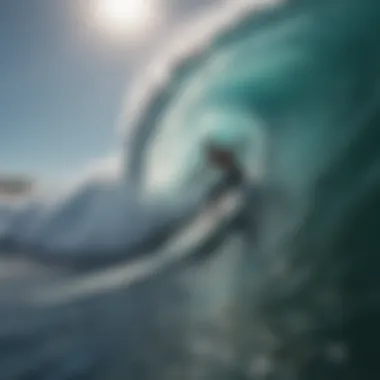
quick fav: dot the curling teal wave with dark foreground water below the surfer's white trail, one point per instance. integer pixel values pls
(290, 292)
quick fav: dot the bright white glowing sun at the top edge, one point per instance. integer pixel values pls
(126, 17)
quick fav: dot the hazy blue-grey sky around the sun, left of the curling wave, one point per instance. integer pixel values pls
(63, 82)
